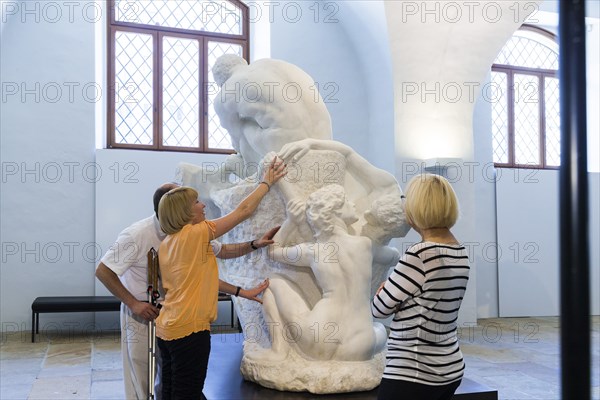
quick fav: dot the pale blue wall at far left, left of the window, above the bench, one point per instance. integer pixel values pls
(48, 169)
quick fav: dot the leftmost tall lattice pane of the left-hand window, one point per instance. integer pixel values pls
(133, 88)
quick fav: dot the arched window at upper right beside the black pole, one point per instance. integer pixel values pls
(525, 107)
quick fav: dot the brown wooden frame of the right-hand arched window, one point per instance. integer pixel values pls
(542, 75)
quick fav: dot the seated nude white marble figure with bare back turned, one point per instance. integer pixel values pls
(339, 326)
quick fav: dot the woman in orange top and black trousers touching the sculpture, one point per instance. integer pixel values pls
(191, 281)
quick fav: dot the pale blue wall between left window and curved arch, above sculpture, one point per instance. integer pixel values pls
(310, 35)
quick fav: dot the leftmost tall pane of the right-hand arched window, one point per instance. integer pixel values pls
(499, 99)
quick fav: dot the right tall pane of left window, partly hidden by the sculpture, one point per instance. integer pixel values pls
(218, 138)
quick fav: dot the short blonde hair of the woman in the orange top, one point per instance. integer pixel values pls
(175, 209)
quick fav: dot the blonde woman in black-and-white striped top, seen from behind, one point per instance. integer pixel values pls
(424, 293)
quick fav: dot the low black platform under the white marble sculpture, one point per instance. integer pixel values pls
(225, 382)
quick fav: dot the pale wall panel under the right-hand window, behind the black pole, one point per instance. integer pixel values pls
(529, 242)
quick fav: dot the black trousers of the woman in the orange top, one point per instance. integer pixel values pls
(184, 366)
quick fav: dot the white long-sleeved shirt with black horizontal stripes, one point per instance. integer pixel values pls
(424, 292)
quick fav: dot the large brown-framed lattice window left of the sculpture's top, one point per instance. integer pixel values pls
(160, 56)
